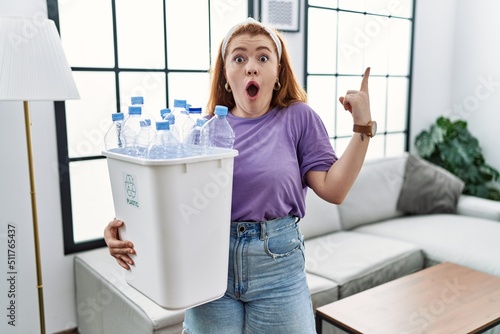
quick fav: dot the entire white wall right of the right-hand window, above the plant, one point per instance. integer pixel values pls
(456, 70)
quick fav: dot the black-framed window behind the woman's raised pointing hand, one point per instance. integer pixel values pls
(343, 38)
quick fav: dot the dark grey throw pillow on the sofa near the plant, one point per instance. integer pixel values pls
(428, 188)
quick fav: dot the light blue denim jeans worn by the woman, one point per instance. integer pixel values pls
(266, 288)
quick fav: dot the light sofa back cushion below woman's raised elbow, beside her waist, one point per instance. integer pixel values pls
(321, 217)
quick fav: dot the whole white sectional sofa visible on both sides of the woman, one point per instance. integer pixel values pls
(364, 242)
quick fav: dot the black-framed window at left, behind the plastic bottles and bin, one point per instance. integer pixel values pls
(119, 49)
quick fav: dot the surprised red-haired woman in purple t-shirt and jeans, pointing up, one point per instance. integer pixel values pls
(283, 149)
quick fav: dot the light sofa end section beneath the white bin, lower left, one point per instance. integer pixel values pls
(107, 304)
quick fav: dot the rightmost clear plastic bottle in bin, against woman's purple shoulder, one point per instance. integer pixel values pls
(217, 132)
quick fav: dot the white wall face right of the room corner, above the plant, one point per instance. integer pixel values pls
(476, 72)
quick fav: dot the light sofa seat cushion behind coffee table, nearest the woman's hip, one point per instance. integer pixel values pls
(358, 261)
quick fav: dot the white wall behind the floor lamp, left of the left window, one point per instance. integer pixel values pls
(15, 208)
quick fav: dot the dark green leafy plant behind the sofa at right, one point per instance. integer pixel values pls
(450, 145)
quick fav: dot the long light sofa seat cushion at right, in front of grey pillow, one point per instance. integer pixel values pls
(447, 237)
